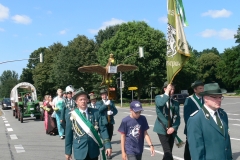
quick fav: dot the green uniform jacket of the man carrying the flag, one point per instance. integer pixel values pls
(162, 114)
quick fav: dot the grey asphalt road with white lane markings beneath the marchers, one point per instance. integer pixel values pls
(28, 141)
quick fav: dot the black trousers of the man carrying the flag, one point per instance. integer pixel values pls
(167, 142)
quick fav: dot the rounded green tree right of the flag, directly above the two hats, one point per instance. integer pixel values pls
(207, 65)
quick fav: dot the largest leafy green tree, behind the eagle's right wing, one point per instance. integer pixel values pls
(151, 69)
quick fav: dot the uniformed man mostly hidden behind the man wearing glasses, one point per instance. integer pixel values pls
(192, 103)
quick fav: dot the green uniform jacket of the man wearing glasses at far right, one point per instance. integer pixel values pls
(206, 142)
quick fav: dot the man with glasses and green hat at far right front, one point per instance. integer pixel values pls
(207, 128)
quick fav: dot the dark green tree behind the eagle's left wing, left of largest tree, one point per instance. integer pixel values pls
(79, 52)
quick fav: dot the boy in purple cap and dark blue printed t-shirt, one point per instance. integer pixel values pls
(133, 130)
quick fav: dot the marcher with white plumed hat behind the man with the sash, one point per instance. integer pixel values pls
(69, 105)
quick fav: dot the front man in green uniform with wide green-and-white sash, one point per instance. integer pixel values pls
(82, 133)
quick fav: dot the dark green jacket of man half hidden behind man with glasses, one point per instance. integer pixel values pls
(189, 107)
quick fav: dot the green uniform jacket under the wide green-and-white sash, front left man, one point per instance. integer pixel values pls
(82, 145)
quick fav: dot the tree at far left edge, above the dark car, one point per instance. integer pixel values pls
(8, 80)
